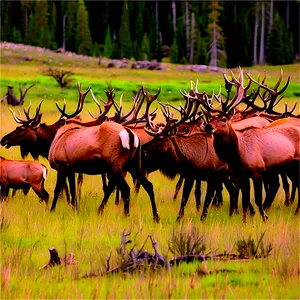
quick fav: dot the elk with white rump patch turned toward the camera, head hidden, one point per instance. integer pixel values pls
(107, 148)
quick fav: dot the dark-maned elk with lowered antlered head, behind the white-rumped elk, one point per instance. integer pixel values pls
(191, 155)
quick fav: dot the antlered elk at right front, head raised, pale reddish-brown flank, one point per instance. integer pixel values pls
(253, 153)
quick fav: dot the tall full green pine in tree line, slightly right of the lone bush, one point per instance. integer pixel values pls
(83, 34)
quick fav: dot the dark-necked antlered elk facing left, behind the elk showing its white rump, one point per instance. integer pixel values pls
(35, 137)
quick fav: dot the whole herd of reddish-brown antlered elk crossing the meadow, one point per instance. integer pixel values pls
(226, 139)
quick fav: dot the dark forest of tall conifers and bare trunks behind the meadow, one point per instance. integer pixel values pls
(216, 33)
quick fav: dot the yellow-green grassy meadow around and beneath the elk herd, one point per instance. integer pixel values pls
(28, 229)
